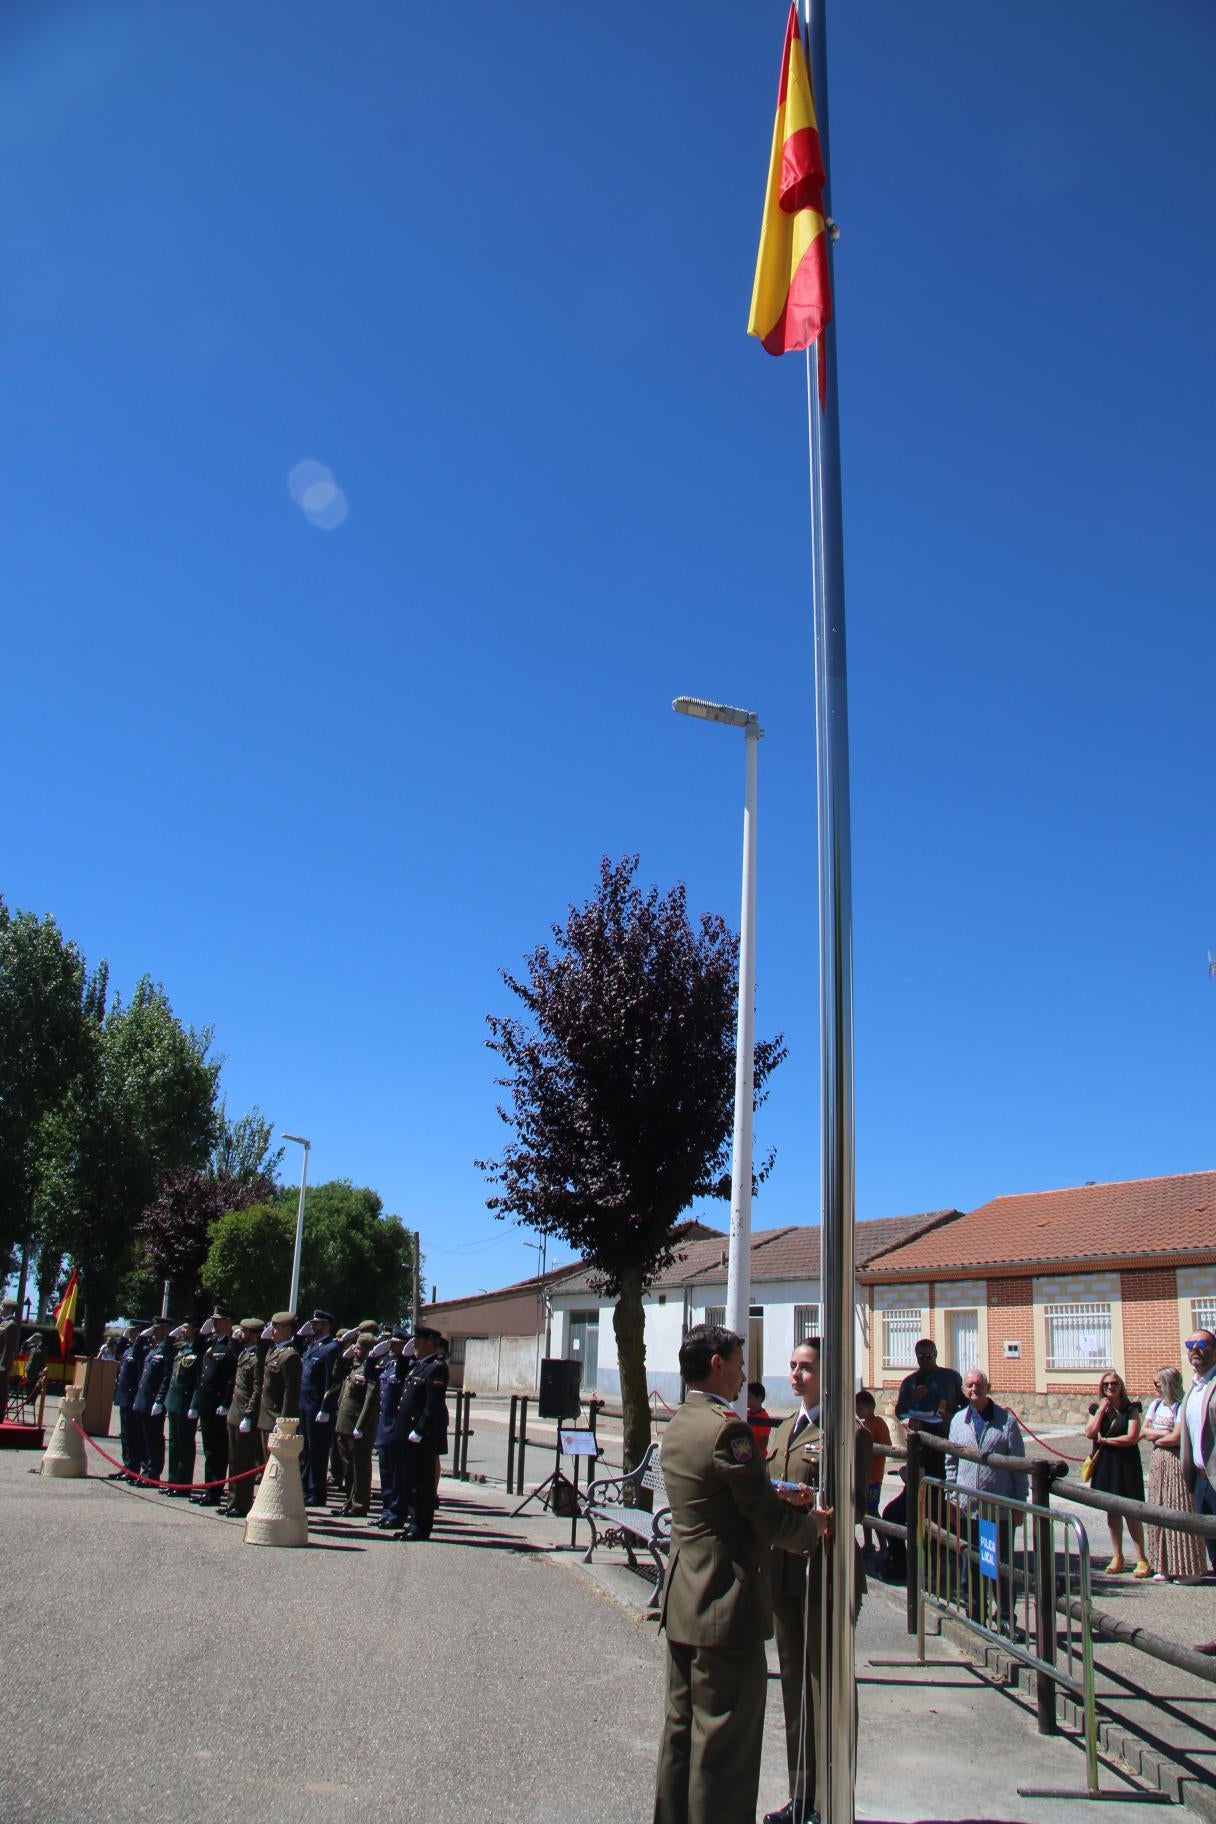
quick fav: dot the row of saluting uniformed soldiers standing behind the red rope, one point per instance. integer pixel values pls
(227, 1384)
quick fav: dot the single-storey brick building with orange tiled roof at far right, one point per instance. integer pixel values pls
(1046, 1290)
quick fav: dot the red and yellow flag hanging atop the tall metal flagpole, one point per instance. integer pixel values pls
(792, 295)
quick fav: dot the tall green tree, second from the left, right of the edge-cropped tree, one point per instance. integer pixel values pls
(141, 1108)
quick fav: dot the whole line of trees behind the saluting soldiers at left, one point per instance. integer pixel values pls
(118, 1156)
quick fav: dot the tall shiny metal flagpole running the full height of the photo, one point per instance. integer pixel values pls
(836, 1725)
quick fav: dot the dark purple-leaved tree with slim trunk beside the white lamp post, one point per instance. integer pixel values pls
(621, 1093)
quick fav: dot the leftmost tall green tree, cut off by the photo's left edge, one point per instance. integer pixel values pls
(48, 1006)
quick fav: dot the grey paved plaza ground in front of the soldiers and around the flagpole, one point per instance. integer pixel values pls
(172, 1674)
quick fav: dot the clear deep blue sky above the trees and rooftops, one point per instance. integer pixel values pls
(493, 273)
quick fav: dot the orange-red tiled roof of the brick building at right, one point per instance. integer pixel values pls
(1131, 1221)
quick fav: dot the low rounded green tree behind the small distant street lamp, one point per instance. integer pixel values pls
(356, 1261)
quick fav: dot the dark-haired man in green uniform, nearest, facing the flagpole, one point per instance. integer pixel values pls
(717, 1606)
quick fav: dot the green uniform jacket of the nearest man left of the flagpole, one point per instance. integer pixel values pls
(725, 1515)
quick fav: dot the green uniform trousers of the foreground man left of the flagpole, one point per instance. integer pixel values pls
(714, 1734)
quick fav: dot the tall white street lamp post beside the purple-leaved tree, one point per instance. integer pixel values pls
(739, 1259)
